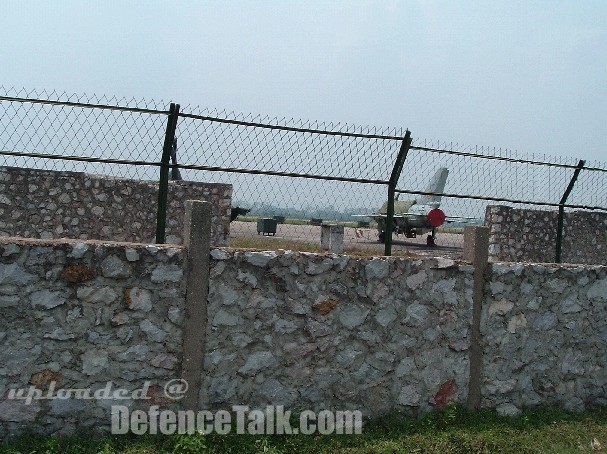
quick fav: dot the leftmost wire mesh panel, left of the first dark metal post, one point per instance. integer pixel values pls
(98, 137)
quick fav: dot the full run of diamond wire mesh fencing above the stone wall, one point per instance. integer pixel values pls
(291, 176)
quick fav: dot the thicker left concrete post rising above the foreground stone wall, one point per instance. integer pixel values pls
(197, 240)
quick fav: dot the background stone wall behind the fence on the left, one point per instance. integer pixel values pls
(48, 204)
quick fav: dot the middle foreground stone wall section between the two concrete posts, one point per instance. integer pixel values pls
(317, 331)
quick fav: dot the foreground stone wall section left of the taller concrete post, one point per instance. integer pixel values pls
(81, 314)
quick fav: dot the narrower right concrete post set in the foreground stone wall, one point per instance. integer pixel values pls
(476, 250)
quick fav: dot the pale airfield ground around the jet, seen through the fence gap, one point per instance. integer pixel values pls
(448, 245)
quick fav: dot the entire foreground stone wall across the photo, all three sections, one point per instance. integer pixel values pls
(308, 331)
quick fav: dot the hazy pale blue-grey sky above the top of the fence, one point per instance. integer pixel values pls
(526, 75)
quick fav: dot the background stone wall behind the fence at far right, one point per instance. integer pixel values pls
(521, 235)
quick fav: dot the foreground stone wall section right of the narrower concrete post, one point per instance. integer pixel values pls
(544, 337)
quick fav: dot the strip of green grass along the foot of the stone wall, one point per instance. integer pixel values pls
(453, 430)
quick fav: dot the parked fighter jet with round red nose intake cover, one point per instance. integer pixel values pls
(420, 215)
